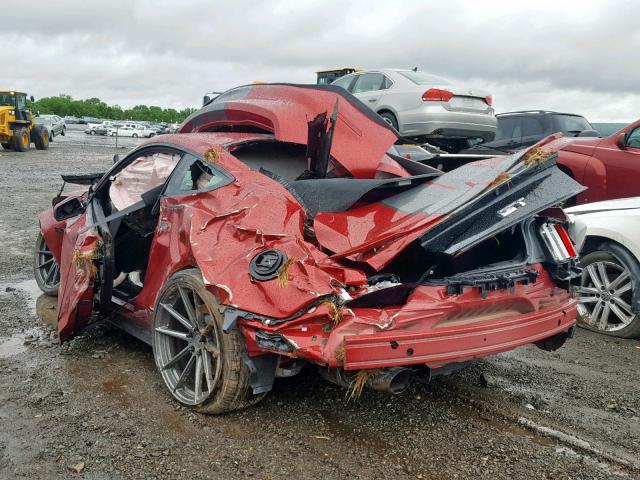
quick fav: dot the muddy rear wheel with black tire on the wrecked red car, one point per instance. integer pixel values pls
(231, 388)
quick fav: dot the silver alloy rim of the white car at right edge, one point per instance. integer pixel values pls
(604, 296)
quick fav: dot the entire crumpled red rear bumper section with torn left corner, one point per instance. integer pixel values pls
(433, 327)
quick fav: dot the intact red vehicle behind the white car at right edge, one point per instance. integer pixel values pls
(608, 166)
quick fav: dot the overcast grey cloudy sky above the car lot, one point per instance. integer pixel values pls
(577, 56)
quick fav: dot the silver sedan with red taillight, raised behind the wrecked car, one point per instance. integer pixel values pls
(425, 107)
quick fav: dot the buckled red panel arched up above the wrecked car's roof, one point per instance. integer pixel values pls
(285, 110)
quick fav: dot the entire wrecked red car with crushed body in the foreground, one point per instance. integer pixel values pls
(274, 230)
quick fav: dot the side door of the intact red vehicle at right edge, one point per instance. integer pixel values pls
(621, 160)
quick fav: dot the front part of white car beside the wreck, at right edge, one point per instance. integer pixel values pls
(606, 233)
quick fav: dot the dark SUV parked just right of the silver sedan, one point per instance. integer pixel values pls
(517, 130)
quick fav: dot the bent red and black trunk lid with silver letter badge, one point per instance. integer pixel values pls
(450, 214)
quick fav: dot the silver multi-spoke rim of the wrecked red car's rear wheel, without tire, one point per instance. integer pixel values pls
(187, 344)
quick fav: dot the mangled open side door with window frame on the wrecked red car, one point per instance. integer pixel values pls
(90, 245)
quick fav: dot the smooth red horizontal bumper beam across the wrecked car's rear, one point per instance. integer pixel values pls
(437, 348)
